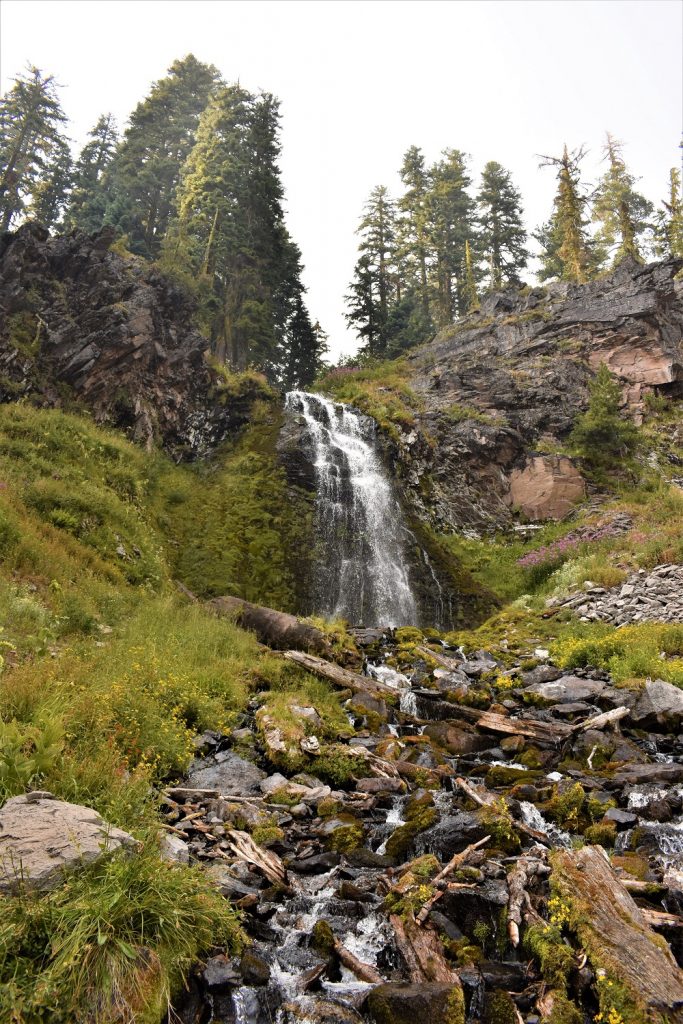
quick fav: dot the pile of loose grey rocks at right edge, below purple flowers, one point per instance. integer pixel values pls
(646, 598)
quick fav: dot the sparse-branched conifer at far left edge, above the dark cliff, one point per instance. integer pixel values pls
(32, 147)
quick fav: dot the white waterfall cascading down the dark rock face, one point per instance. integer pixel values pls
(361, 574)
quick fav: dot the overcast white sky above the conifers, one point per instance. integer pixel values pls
(362, 81)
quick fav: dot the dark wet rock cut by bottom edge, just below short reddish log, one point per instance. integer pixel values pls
(398, 1004)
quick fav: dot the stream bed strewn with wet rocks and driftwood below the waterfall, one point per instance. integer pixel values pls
(476, 851)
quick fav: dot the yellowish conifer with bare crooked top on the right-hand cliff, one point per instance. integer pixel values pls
(570, 248)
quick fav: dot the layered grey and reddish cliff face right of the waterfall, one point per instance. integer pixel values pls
(499, 392)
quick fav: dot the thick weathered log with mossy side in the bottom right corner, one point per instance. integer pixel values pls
(616, 933)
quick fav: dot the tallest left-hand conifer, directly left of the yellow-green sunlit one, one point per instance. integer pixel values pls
(143, 179)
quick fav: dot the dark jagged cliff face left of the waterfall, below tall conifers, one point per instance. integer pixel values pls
(81, 324)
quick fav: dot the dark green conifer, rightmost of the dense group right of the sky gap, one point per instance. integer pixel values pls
(502, 239)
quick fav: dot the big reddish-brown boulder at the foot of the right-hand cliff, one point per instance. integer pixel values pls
(546, 488)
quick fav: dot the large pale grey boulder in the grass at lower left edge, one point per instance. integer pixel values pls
(41, 837)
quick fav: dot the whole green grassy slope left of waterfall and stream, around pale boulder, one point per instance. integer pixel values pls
(108, 673)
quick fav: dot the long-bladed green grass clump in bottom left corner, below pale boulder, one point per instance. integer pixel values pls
(111, 944)
